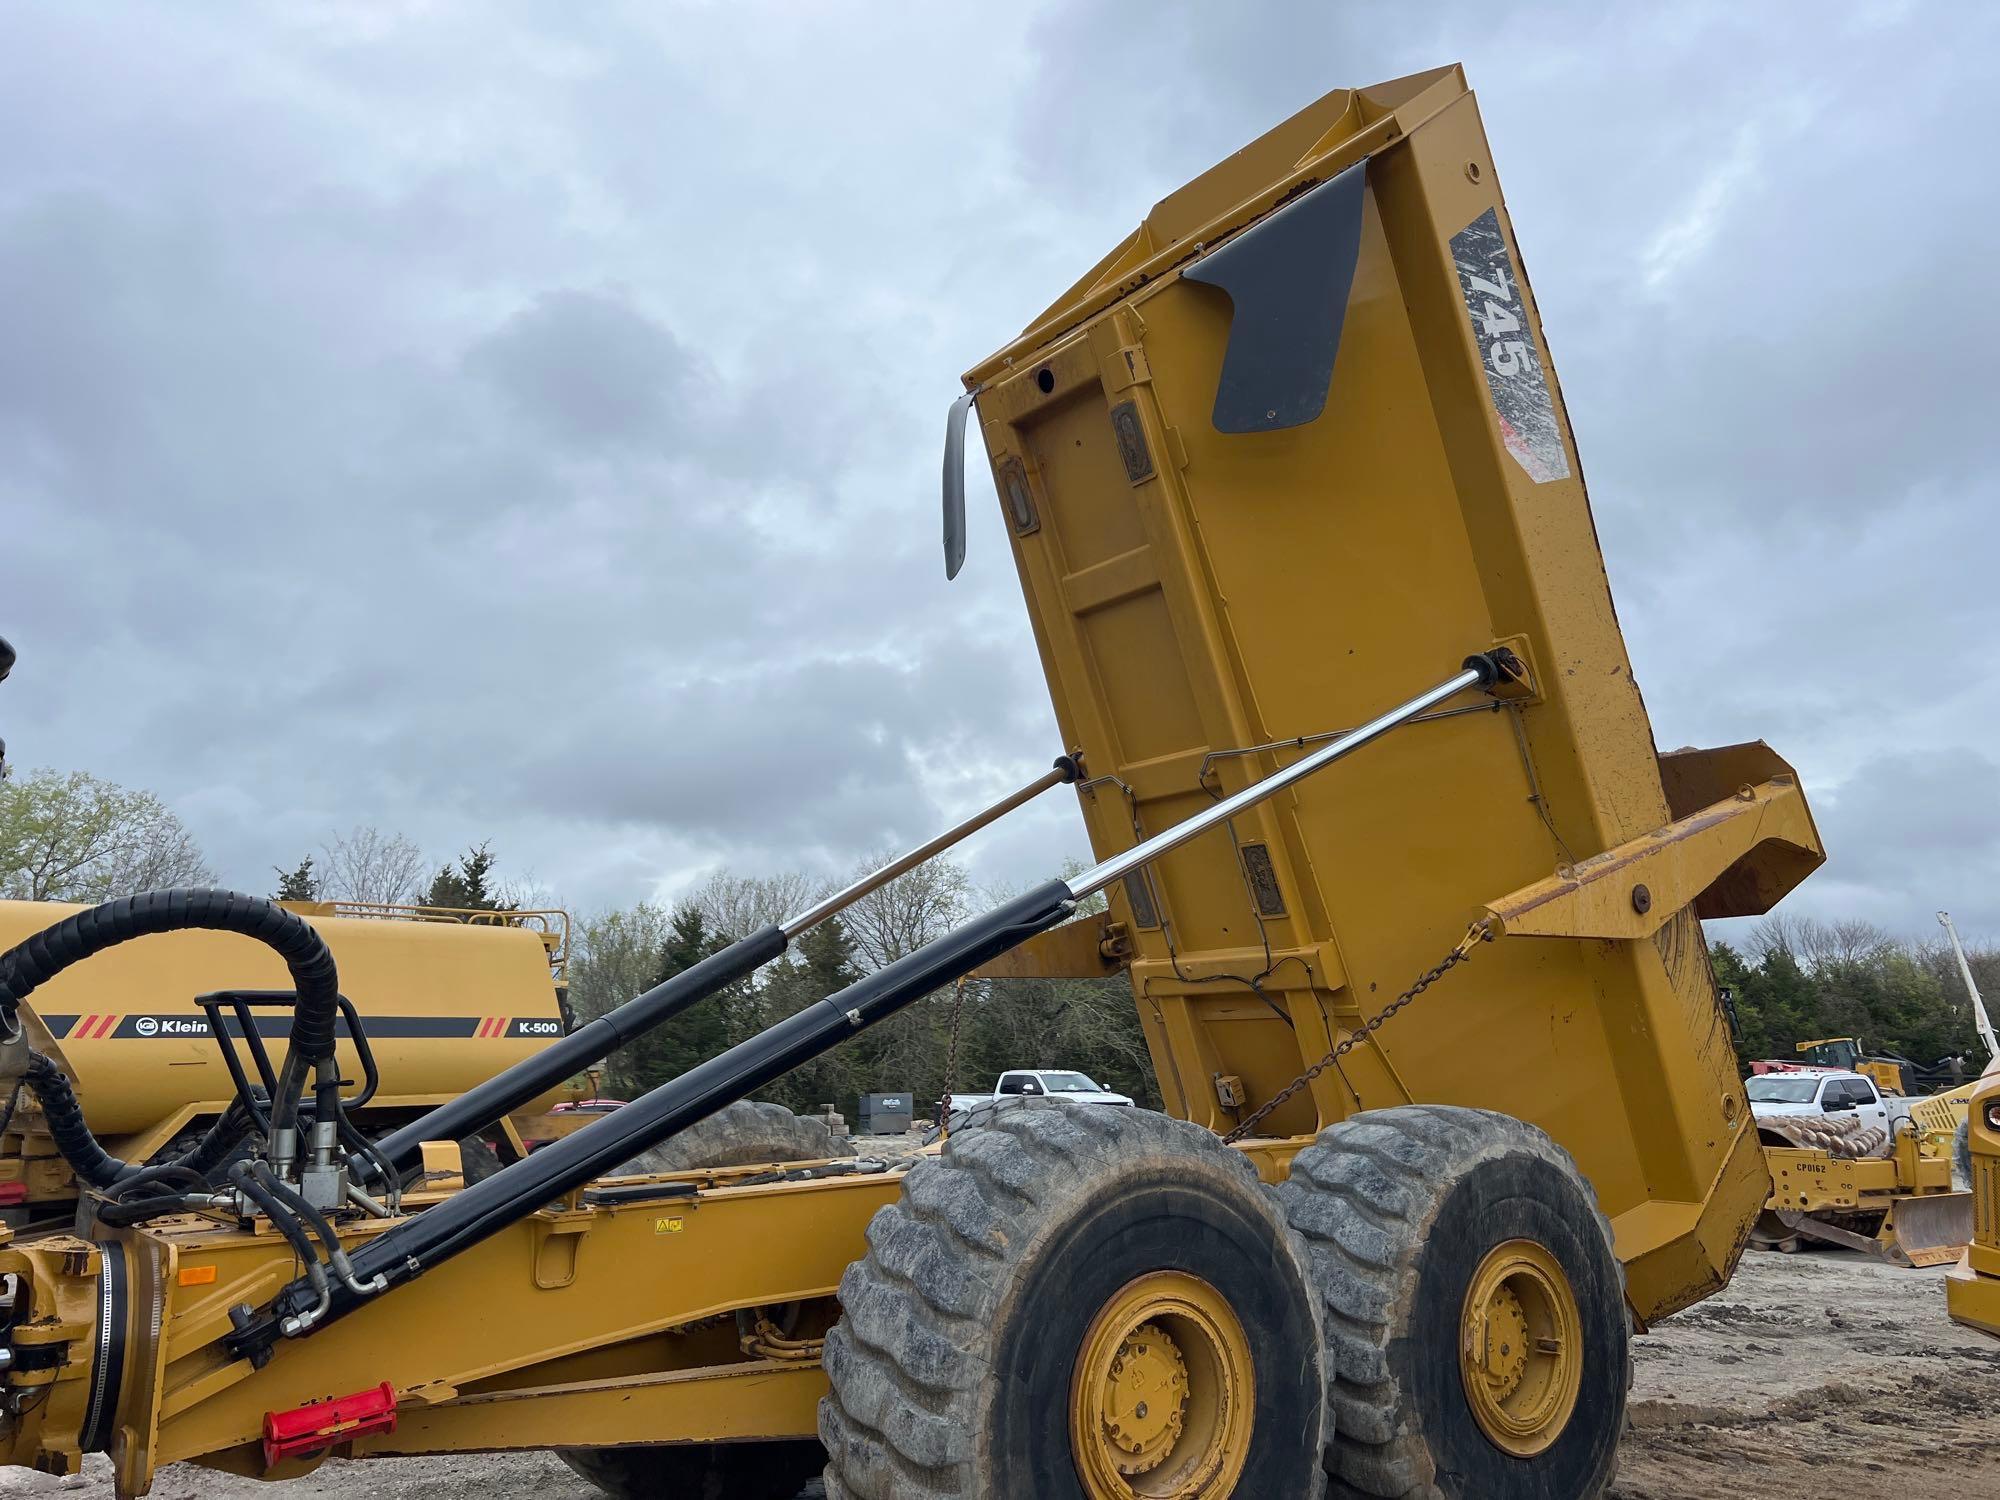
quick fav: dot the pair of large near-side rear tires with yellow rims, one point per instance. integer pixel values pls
(1107, 1305)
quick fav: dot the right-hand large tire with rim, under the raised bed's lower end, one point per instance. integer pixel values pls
(1421, 1225)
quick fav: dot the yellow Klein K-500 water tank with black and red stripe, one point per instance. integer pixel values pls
(445, 1007)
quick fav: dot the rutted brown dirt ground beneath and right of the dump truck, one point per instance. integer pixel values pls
(1811, 1377)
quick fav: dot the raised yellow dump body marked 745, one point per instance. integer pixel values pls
(1207, 597)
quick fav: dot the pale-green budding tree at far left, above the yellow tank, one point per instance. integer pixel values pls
(87, 841)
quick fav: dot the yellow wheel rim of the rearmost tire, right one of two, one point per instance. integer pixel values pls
(1521, 1349)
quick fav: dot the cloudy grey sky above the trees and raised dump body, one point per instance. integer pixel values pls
(521, 423)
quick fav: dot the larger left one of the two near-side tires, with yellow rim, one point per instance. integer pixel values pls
(1071, 1289)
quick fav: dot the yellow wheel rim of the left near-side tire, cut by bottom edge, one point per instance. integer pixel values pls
(1163, 1393)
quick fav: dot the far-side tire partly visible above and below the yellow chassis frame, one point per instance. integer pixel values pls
(739, 1135)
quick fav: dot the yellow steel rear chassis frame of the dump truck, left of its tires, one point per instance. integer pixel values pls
(579, 1325)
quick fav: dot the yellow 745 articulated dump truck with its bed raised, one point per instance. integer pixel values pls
(1409, 903)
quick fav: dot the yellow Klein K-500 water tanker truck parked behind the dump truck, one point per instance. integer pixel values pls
(447, 1001)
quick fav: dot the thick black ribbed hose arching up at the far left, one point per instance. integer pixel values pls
(85, 935)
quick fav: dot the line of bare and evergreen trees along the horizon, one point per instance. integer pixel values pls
(81, 839)
